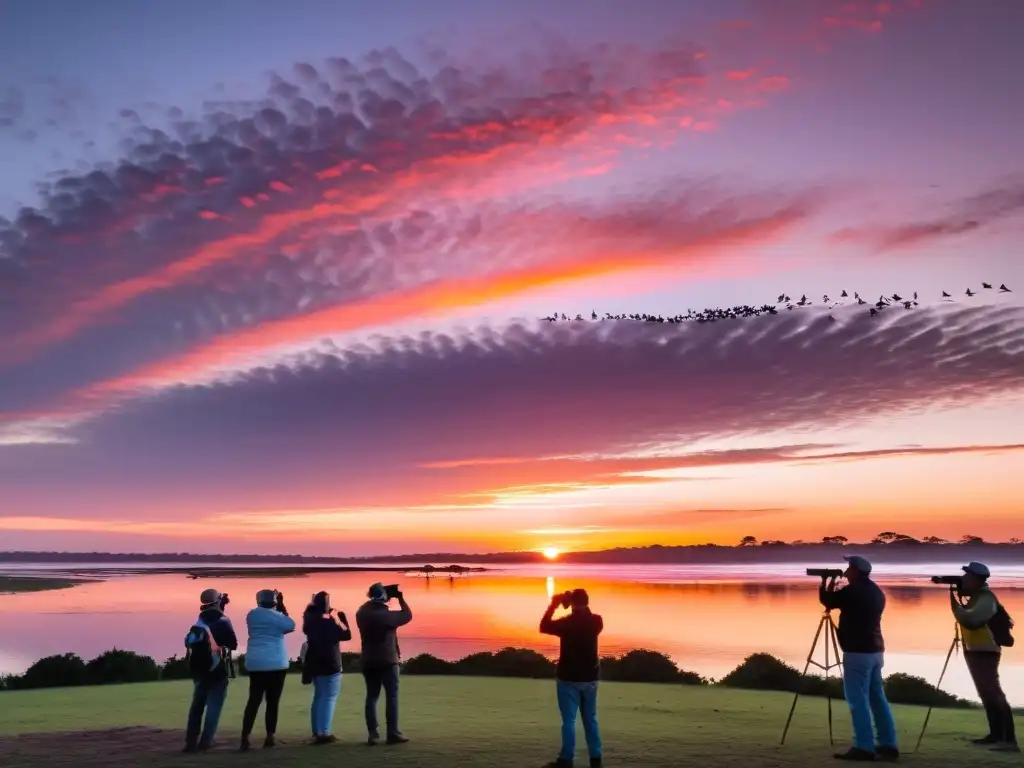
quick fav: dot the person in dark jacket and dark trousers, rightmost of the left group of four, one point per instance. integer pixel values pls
(381, 657)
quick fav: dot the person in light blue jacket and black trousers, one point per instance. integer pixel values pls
(267, 662)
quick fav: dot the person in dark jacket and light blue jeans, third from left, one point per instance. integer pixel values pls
(325, 630)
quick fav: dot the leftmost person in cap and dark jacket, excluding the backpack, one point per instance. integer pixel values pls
(210, 688)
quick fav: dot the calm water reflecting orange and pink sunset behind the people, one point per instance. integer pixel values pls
(708, 619)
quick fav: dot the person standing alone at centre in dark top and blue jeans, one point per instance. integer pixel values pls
(578, 672)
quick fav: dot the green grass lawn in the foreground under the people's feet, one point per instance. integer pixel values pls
(456, 721)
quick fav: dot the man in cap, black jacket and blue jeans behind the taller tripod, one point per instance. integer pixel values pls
(862, 605)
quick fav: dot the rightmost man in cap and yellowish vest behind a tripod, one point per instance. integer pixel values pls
(984, 654)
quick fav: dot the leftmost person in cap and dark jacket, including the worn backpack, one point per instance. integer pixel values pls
(208, 647)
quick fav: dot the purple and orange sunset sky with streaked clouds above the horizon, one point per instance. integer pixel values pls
(272, 275)
